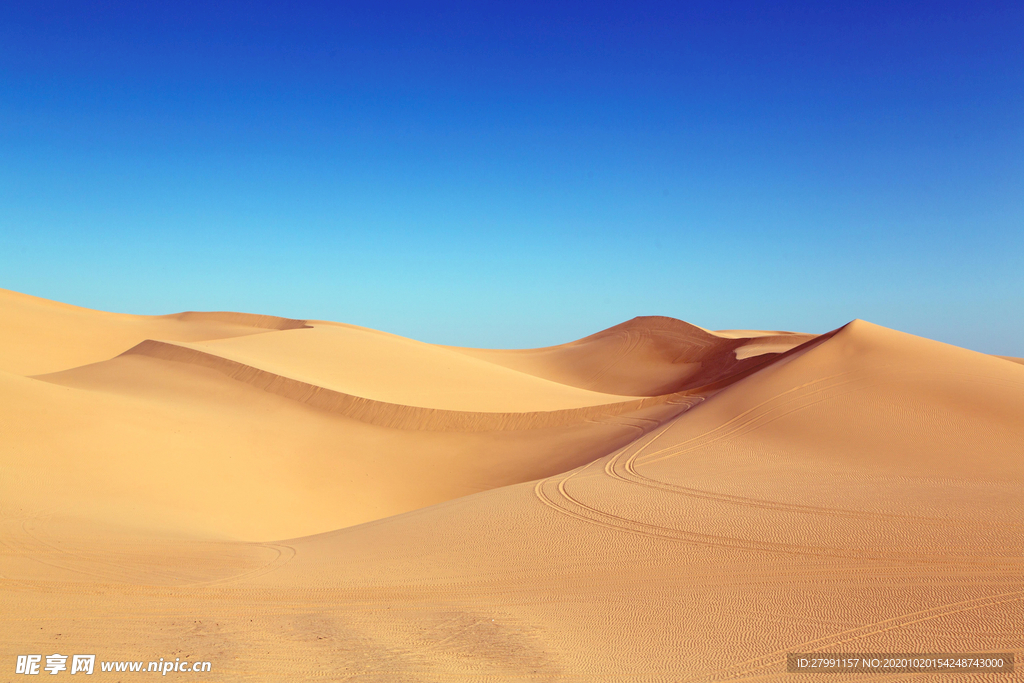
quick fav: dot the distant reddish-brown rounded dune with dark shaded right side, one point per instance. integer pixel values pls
(648, 357)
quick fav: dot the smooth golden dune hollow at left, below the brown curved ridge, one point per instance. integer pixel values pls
(235, 460)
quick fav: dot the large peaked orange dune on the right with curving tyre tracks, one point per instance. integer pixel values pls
(863, 496)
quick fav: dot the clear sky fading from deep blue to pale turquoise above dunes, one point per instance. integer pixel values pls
(522, 175)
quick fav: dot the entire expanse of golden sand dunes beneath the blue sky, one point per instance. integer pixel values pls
(303, 500)
